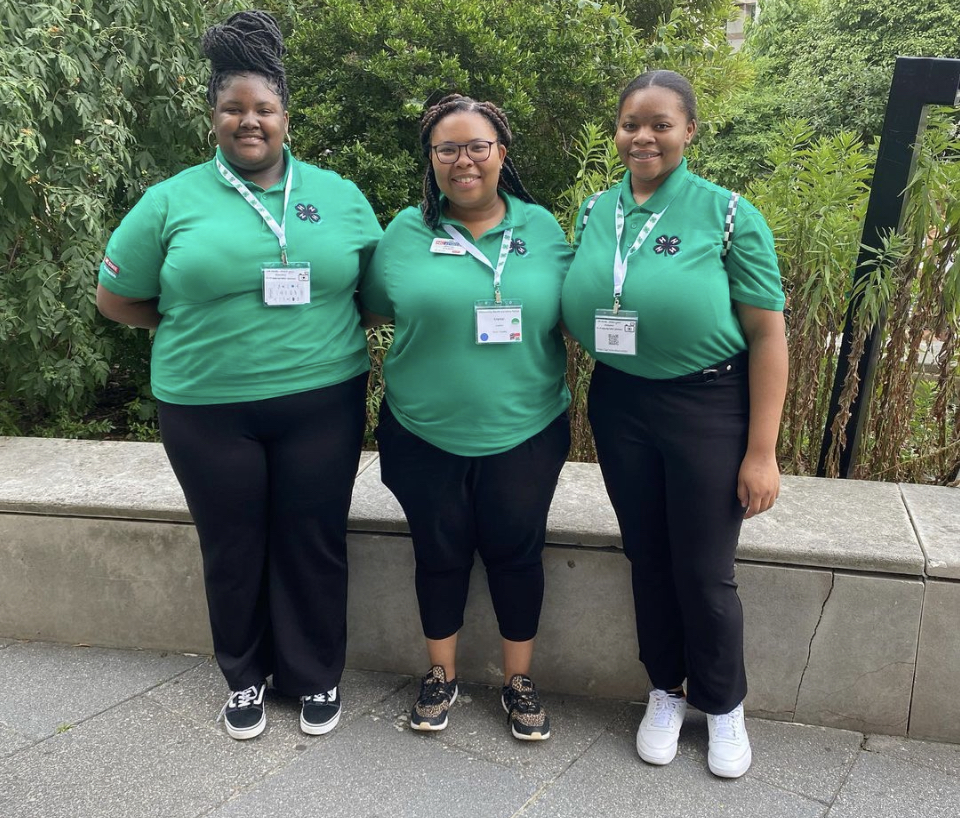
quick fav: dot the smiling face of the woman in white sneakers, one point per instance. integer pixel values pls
(653, 129)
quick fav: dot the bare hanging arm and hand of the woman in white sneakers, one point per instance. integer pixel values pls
(758, 485)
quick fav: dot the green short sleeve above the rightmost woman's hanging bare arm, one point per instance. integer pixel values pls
(752, 262)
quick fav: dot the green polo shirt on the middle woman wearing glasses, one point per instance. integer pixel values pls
(469, 399)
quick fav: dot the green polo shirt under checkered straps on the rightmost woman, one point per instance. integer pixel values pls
(677, 282)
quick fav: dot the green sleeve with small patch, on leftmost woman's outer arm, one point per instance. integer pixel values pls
(135, 252)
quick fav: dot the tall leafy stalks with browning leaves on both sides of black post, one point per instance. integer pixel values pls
(814, 200)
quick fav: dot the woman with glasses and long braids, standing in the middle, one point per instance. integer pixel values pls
(473, 430)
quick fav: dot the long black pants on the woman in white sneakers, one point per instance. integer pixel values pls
(670, 454)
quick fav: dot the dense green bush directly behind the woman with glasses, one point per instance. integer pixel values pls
(361, 74)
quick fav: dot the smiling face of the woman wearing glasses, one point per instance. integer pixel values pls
(470, 186)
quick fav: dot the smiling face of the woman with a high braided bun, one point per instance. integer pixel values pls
(250, 124)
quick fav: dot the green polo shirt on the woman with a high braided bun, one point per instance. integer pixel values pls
(194, 242)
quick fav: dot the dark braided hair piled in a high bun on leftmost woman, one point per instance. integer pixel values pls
(249, 42)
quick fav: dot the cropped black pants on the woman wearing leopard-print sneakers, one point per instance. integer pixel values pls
(496, 505)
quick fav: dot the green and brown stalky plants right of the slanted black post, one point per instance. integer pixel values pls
(913, 431)
